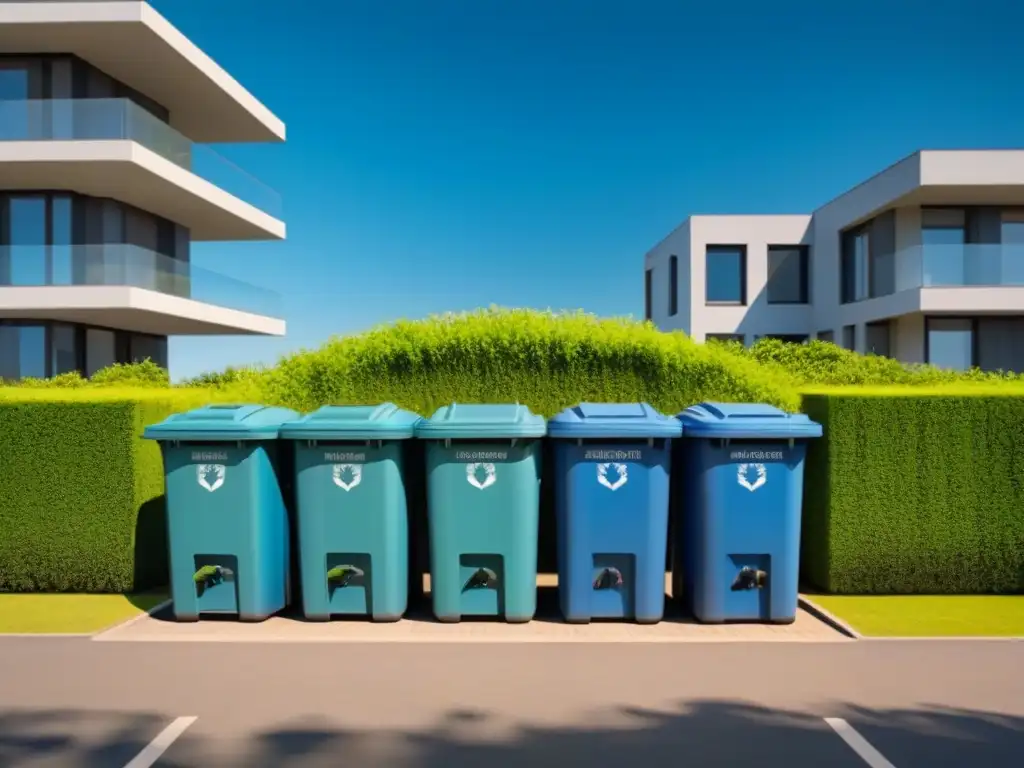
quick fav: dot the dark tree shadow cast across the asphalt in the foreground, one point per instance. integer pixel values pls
(699, 734)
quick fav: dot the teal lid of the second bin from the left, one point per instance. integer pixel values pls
(385, 422)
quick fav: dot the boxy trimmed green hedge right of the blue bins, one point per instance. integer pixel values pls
(916, 492)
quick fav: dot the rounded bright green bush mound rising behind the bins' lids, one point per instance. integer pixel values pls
(543, 360)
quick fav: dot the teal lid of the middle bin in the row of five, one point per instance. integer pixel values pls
(473, 421)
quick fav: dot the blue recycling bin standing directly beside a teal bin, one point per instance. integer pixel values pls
(612, 473)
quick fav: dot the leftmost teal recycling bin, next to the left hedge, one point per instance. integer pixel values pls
(229, 494)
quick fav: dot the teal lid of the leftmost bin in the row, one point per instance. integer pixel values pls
(223, 422)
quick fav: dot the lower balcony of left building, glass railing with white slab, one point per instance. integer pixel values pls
(133, 288)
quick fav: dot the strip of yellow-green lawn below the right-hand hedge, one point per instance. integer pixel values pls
(929, 616)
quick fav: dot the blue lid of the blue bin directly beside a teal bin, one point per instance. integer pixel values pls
(614, 420)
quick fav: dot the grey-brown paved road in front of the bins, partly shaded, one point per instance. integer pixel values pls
(77, 704)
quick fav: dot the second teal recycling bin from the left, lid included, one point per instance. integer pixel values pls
(353, 516)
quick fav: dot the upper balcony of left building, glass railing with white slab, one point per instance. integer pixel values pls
(93, 147)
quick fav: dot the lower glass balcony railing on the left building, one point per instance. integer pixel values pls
(119, 265)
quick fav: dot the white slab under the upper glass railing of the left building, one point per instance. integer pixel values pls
(130, 173)
